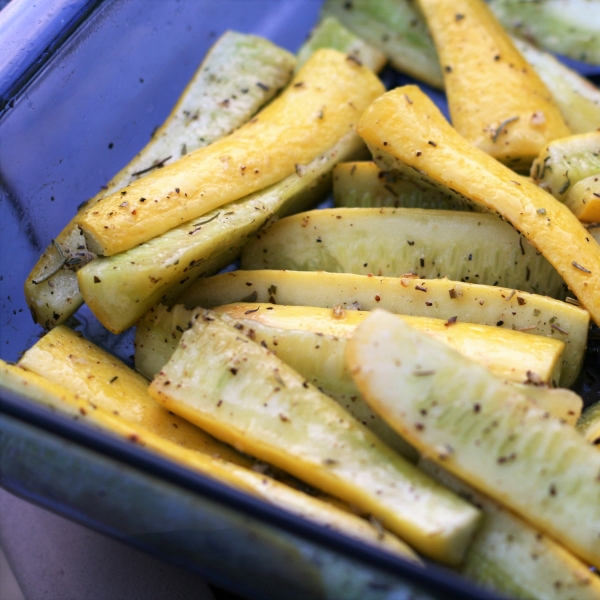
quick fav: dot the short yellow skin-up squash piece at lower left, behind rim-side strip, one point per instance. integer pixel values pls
(66, 358)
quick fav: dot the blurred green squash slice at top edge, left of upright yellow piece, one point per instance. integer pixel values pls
(396, 28)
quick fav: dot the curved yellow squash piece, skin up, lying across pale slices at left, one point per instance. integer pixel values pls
(323, 102)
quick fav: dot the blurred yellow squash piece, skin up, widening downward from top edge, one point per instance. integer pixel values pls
(496, 99)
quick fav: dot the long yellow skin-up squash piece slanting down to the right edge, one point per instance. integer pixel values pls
(405, 130)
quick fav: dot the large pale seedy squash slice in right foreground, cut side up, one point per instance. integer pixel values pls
(462, 417)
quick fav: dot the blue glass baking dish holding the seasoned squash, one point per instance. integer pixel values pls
(76, 103)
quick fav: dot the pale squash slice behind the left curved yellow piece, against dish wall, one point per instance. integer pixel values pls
(232, 70)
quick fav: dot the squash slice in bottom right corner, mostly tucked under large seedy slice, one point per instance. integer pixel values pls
(511, 557)
